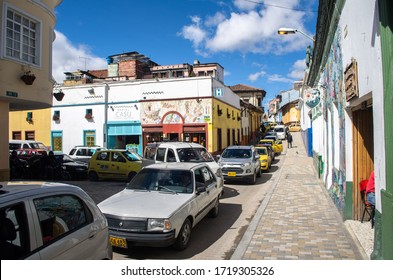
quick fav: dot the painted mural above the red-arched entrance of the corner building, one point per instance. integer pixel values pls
(191, 110)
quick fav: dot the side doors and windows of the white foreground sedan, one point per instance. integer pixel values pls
(204, 178)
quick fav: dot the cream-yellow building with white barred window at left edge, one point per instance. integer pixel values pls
(25, 76)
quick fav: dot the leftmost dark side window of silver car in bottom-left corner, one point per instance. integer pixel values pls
(14, 231)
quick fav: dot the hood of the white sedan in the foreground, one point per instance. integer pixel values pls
(143, 204)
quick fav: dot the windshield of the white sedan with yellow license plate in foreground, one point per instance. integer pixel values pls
(163, 180)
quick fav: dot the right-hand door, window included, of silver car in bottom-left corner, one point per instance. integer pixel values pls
(66, 228)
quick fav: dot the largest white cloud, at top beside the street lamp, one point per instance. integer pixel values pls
(252, 29)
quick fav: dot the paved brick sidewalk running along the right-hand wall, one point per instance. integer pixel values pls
(297, 219)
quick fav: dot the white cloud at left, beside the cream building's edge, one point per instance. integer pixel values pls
(69, 58)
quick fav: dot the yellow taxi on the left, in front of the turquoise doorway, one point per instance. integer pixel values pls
(114, 164)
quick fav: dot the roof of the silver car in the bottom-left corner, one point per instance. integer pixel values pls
(29, 188)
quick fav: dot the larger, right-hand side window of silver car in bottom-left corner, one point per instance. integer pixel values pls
(60, 214)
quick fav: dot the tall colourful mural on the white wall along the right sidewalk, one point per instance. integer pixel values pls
(334, 96)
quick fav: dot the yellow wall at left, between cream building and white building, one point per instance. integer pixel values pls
(41, 124)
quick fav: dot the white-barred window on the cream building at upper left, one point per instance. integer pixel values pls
(22, 37)
